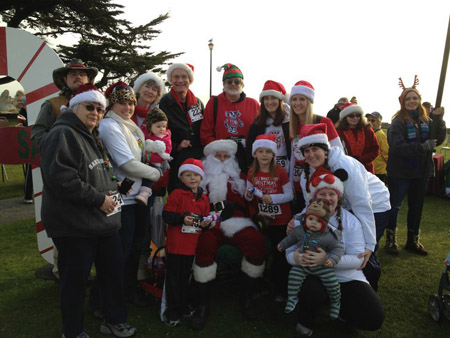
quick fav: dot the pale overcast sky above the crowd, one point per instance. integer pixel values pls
(343, 48)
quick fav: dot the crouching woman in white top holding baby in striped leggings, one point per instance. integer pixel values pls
(360, 305)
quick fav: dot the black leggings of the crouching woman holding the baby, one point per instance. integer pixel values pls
(360, 304)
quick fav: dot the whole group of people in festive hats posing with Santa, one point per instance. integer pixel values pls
(238, 171)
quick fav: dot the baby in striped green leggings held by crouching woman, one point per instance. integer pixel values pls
(315, 233)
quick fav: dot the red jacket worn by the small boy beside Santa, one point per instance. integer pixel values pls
(180, 202)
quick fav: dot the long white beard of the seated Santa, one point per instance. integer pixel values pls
(218, 174)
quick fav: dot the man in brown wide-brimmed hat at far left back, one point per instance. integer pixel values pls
(67, 79)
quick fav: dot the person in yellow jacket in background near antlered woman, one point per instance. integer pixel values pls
(380, 162)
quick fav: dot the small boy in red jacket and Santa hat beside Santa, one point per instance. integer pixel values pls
(183, 212)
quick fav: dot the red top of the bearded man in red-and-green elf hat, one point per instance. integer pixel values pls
(233, 118)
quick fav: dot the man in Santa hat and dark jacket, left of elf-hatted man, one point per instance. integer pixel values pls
(185, 114)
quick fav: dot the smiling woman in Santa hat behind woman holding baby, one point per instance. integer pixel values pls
(149, 89)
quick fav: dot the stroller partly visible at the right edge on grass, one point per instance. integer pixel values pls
(439, 305)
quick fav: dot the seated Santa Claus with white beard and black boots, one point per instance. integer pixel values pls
(225, 185)
